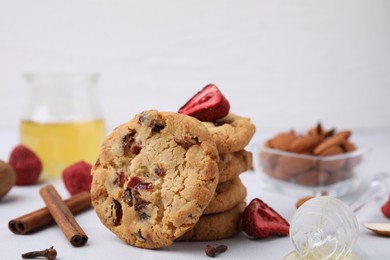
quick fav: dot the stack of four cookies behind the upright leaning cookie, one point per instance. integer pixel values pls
(221, 218)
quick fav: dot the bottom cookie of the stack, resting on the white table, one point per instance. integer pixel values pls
(216, 226)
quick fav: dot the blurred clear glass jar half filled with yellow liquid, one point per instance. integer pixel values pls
(62, 122)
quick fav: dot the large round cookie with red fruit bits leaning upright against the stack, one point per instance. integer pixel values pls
(154, 177)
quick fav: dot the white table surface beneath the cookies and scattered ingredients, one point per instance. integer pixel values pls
(102, 244)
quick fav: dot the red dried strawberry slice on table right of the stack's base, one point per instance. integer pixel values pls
(260, 220)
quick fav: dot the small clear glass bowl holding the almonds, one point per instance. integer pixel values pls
(302, 175)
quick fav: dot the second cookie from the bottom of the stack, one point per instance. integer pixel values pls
(227, 195)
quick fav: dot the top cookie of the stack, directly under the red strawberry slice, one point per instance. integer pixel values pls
(231, 133)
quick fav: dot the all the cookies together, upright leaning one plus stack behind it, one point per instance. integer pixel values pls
(164, 176)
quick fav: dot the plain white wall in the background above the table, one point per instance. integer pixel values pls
(285, 64)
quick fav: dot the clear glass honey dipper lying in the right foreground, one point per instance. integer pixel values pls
(326, 228)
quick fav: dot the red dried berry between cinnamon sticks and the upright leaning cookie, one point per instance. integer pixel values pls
(77, 177)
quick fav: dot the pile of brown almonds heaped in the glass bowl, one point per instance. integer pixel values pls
(307, 161)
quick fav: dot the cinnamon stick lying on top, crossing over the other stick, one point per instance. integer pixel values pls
(63, 216)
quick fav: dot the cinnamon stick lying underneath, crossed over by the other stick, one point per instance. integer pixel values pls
(41, 218)
